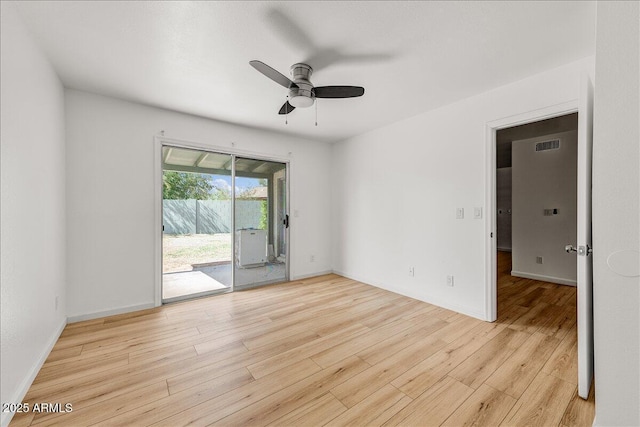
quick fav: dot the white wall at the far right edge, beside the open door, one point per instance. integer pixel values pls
(616, 214)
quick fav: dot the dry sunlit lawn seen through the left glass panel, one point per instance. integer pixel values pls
(179, 252)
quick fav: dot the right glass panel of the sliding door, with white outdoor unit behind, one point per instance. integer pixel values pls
(260, 222)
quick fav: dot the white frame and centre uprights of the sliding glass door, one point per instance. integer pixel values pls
(162, 141)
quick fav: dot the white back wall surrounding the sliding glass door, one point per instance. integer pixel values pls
(110, 156)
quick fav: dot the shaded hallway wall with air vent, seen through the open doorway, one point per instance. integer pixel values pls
(545, 180)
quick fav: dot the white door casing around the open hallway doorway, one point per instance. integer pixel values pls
(491, 274)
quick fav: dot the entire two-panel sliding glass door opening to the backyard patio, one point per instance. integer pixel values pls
(222, 222)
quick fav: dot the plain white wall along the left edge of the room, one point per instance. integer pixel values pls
(32, 223)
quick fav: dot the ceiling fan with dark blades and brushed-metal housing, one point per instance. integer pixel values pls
(302, 93)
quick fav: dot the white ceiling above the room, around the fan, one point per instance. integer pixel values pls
(410, 57)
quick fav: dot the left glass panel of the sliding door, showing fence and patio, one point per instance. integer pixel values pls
(197, 223)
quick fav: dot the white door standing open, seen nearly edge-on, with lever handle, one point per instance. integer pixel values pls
(585, 260)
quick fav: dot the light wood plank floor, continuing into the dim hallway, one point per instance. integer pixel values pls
(322, 351)
